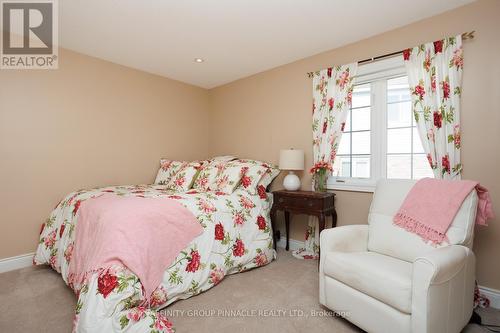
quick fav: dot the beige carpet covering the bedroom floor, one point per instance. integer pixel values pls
(35, 299)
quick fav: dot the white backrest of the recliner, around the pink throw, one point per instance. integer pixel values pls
(386, 238)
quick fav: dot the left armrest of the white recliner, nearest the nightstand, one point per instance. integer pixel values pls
(349, 238)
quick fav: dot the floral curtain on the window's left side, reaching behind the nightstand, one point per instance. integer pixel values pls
(332, 94)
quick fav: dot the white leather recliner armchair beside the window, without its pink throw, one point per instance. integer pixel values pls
(387, 279)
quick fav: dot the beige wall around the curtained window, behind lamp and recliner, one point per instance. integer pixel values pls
(257, 116)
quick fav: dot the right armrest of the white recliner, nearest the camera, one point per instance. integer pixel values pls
(443, 289)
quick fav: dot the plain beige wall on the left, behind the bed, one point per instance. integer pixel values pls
(89, 123)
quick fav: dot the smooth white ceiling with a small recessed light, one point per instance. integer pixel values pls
(237, 38)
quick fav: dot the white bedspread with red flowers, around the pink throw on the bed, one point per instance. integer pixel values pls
(237, 236)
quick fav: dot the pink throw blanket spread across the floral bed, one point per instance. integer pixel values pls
(144, 234)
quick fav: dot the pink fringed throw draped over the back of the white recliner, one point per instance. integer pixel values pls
(431, 205)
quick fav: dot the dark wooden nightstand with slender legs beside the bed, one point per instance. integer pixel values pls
(320, 204)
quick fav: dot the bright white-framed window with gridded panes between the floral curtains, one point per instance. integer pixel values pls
(380, 138)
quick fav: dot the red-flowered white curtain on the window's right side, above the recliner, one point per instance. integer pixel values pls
(435, 77)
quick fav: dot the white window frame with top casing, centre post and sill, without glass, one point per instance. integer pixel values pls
(377, 74)
